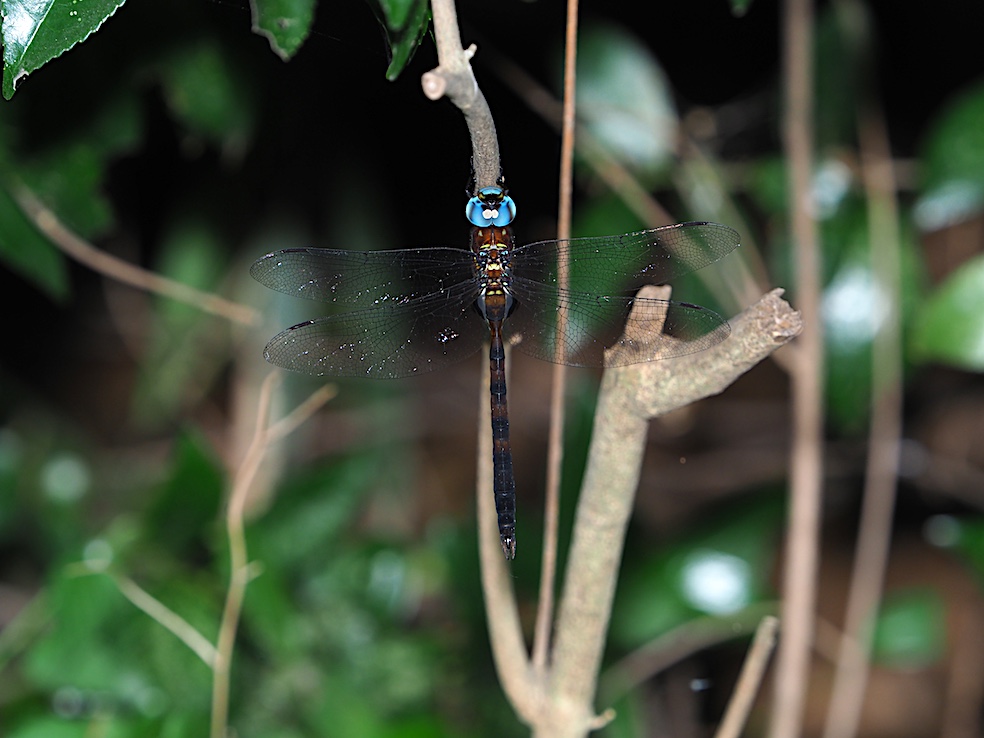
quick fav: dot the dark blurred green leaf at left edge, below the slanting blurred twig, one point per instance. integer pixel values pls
(25, 251)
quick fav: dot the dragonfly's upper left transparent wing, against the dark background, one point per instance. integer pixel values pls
(357, 280)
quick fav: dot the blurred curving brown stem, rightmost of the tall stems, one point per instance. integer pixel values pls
(884, 444)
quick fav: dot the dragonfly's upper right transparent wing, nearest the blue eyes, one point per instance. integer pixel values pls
(613, 265)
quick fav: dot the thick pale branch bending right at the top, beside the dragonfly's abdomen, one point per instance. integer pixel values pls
(630, 397)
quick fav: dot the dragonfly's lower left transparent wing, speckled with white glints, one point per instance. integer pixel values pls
(385, 342)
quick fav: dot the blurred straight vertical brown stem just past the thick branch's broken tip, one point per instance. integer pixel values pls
(802, 542)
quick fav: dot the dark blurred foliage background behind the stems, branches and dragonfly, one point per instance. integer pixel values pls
(176, 140)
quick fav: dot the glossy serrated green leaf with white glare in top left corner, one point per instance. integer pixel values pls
(36, 31)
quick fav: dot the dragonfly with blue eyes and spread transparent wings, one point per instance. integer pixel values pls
(399, 313)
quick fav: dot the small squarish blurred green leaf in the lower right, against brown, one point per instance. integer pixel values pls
(910, 632)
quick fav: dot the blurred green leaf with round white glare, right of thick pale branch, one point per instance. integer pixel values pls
(720, 570)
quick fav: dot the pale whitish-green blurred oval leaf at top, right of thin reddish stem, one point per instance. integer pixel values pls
(624, 98)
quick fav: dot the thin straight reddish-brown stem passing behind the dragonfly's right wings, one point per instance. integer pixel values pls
(555, 444)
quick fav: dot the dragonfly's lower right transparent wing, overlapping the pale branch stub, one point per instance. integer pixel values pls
(644, 329)
